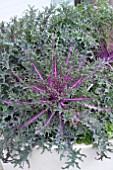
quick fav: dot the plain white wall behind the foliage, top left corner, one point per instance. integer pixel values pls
(10, 8)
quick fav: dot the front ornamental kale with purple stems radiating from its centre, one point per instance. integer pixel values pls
(50, 103)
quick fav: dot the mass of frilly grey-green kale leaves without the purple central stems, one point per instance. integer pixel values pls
(32, 36)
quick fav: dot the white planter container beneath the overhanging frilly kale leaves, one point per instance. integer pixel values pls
(50, 161)
